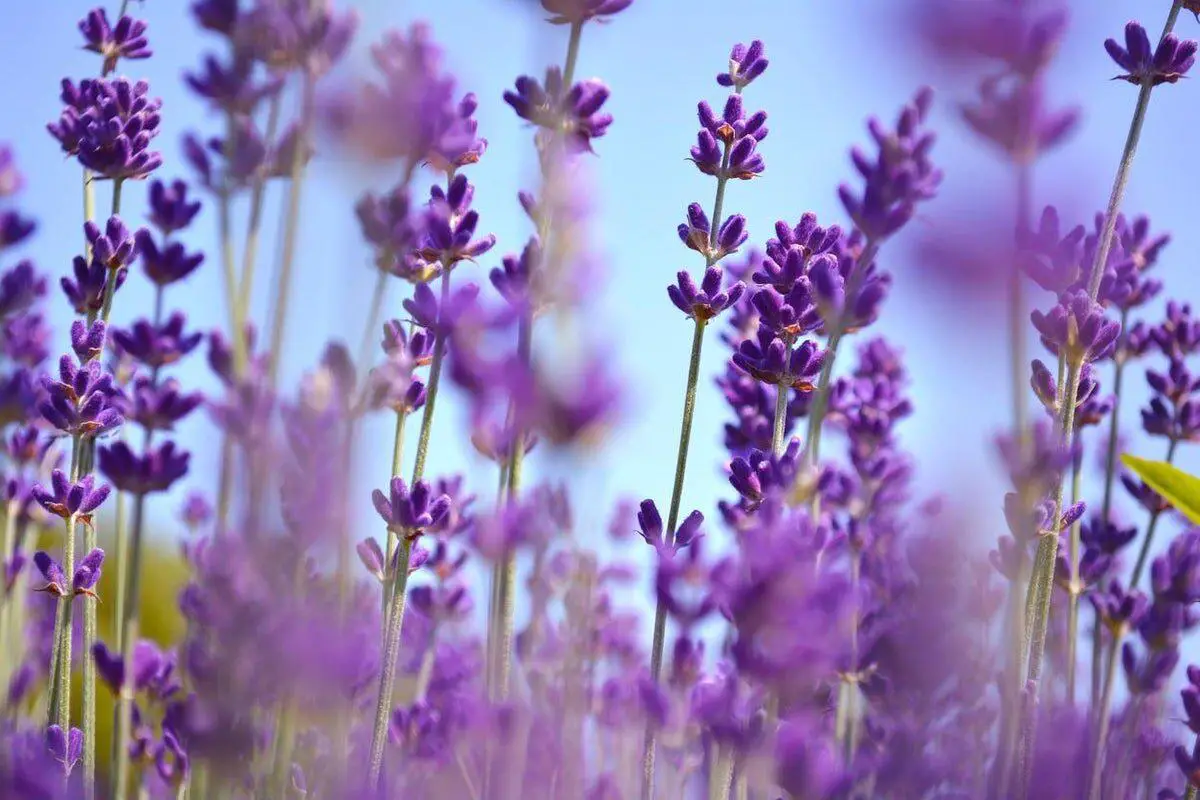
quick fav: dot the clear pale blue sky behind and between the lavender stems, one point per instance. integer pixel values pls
(833, 64)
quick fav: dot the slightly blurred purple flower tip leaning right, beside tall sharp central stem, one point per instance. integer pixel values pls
(899, 178)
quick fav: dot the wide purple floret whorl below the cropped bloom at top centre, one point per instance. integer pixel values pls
(573, 113)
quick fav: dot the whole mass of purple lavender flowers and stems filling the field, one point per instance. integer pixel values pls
(825, 635)
